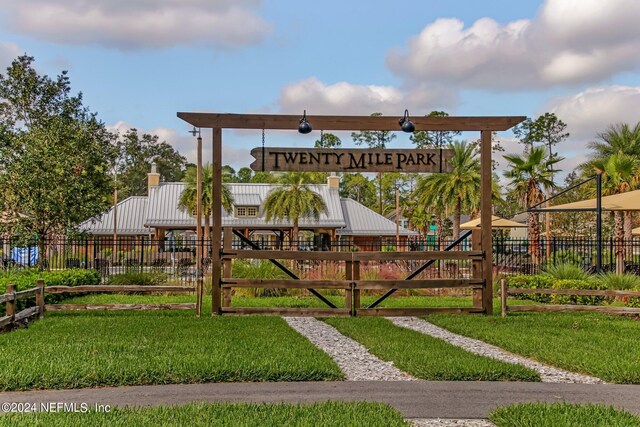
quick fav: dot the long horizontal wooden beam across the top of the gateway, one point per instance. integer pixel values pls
(353, 123)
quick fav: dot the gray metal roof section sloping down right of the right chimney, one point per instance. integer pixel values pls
(362, 221)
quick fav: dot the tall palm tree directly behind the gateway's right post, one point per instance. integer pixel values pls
(459, 189)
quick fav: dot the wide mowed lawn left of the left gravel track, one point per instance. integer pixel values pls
(89, 349)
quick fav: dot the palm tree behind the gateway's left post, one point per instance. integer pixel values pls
(189, 196)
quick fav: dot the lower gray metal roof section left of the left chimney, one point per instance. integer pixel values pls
(131, 215)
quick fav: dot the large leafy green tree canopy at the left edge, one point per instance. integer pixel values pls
(55, 154)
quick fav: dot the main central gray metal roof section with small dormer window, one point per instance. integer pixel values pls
(163, 210)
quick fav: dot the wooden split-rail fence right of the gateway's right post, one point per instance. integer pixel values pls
(506, 291)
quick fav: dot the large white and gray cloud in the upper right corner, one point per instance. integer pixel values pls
(568, 42)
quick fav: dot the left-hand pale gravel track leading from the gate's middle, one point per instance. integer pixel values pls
(356, 362)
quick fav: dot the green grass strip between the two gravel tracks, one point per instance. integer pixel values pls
(425, 357)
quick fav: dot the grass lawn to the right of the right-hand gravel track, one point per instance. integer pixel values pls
(607, 347)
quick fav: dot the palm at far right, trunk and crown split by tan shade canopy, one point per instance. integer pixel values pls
(620, 173)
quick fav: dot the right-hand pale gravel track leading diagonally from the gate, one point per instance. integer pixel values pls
(547, 373)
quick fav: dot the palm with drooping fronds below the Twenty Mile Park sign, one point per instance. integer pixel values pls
(294, 200)
